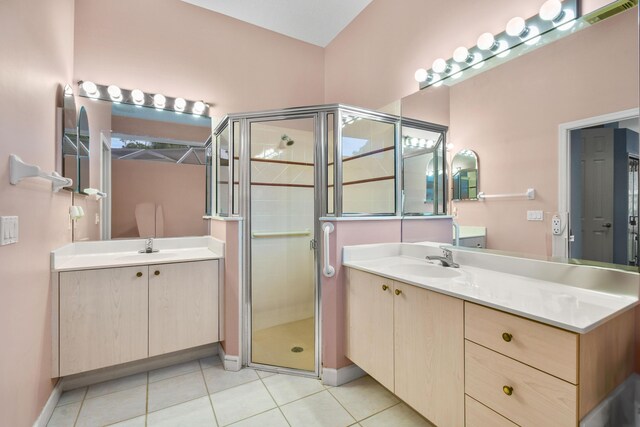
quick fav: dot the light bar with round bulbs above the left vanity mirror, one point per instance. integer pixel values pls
(137, 97)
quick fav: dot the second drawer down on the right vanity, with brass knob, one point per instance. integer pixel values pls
(537, 399)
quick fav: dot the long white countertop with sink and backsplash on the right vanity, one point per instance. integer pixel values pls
(576, 307)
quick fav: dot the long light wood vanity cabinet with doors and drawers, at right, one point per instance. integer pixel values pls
(460, 363)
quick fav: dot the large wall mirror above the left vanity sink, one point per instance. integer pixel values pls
(153, 170)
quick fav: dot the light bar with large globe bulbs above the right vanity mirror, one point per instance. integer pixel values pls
(554, 14)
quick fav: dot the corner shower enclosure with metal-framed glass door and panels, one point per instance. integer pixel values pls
(280, 172)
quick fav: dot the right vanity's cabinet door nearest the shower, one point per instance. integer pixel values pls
(369, 328)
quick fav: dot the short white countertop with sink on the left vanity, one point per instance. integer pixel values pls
(124, 253)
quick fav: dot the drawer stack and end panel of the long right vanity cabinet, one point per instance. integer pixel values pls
(535, 374)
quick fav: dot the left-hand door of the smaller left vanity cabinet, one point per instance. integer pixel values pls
(103, 318)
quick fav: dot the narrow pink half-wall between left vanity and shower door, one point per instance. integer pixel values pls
(227, 231)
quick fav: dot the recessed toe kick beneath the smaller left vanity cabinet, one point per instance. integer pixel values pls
(157, 362)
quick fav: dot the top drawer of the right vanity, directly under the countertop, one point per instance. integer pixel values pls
(544, 347)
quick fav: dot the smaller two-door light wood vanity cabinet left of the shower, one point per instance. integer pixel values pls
(110, 316)
